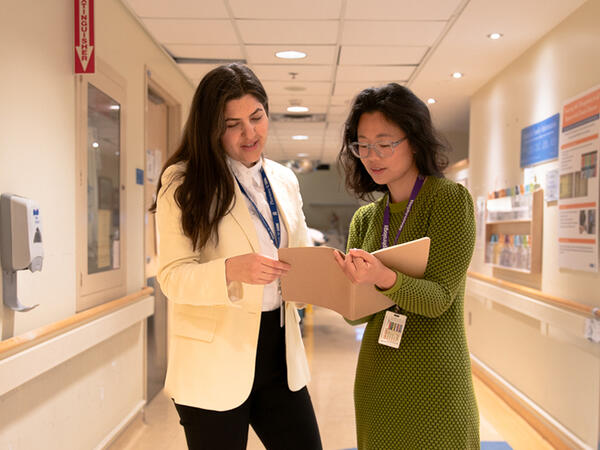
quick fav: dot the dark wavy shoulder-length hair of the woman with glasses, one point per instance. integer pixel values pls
(400, 106)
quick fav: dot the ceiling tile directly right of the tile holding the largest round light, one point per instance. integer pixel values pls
(381, 55)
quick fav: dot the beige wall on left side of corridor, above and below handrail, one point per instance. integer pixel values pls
(79, 403)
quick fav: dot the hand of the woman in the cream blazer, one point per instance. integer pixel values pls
(253, 268)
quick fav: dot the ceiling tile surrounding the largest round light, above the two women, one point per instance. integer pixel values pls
(315, 54)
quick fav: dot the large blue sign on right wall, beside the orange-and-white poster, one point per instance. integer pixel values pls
(539, 142)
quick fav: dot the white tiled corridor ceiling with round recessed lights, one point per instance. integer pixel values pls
(351, 45)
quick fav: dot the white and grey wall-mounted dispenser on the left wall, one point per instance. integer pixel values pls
(20, 244)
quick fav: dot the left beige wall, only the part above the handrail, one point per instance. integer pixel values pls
(37, 138)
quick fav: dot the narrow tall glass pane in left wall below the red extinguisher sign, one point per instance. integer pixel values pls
(103, 189)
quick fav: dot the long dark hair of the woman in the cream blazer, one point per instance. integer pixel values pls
(206, 193)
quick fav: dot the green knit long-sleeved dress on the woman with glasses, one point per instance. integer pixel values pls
(420, 396)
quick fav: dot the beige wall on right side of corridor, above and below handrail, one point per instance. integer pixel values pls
(559, 371)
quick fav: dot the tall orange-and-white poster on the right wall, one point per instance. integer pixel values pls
(578, 182)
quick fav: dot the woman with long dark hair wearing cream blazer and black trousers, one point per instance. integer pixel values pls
(236, 354)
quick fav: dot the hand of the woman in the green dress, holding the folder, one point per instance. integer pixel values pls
(362, 267)
